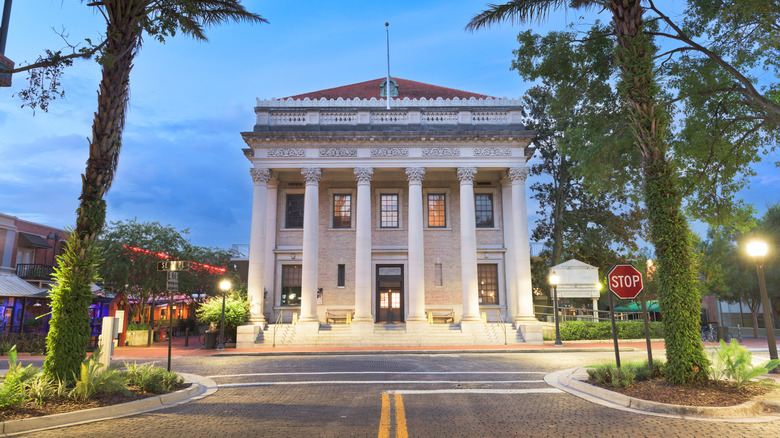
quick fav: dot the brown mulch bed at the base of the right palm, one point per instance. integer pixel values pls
(715, 393)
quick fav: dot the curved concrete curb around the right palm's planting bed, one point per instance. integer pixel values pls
(571, 381)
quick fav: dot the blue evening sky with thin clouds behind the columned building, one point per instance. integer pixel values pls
(181, 161)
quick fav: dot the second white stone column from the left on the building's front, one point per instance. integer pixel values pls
(311, 224)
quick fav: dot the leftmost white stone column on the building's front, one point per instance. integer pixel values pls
(257, 245)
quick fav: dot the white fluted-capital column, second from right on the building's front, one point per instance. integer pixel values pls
(468, 245)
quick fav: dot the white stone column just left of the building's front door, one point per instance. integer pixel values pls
(363, 315)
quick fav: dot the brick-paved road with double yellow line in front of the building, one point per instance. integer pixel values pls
(398, 395)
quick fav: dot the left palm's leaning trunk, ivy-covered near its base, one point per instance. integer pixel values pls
(70, 332)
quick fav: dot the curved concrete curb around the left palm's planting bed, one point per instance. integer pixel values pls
(201, 387)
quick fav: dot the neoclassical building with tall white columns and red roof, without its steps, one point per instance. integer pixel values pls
(407, 213)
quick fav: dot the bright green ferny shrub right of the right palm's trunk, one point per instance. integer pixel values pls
(734, 362)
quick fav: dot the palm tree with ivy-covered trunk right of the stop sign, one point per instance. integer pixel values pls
(680, 301)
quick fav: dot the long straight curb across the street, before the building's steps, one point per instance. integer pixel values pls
(426, 352)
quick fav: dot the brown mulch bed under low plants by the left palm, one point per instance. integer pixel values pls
(59, 406)
